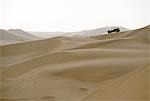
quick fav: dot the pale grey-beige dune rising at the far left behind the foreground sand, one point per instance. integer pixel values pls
(15, 36)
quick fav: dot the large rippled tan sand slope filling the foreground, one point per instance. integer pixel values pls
(112, 67)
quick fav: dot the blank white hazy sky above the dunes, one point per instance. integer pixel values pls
(72, 15)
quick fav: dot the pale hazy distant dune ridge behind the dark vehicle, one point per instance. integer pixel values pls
(85, 33)
